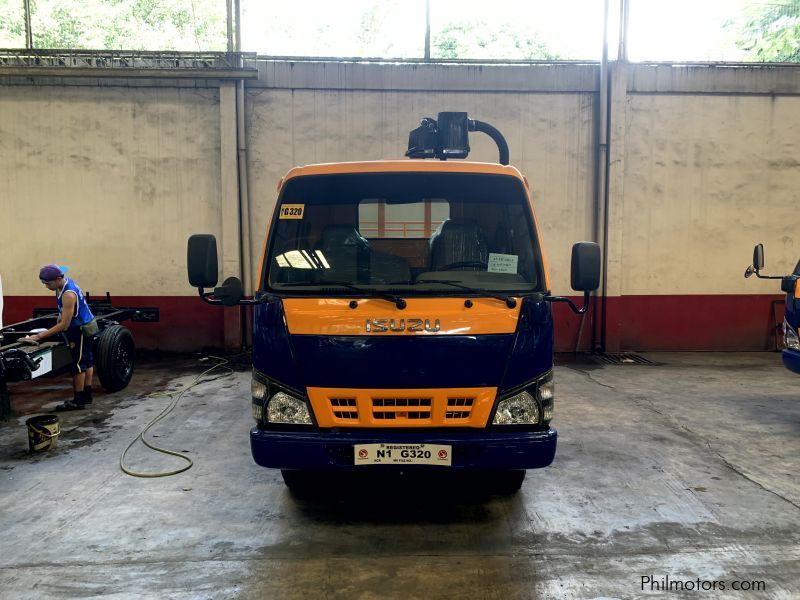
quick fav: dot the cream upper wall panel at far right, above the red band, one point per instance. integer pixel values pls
(707, 177)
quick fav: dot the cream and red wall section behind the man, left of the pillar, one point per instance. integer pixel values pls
(109, 181)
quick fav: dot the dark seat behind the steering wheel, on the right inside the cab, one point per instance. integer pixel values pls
(457, 241)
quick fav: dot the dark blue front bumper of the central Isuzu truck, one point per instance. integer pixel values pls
(481, 450)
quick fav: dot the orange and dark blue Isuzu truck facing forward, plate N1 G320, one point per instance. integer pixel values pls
(403, 315)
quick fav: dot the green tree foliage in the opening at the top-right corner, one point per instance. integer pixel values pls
(770, 32)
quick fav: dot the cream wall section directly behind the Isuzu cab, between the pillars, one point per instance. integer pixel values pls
(302, 113)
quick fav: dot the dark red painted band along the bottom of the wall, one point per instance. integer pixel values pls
(634, 323)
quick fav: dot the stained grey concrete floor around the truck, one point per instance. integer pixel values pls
(686, 469)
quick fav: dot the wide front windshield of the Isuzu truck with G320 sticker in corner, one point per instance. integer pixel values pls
(403, 232)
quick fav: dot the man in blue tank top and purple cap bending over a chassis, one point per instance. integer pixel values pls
(77, 322)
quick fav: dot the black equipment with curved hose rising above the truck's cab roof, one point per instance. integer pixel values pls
(447, 137)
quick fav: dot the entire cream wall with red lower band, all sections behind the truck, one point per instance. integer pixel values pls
(110, 177)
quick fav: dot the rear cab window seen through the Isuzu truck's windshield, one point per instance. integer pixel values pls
(414, 220)
